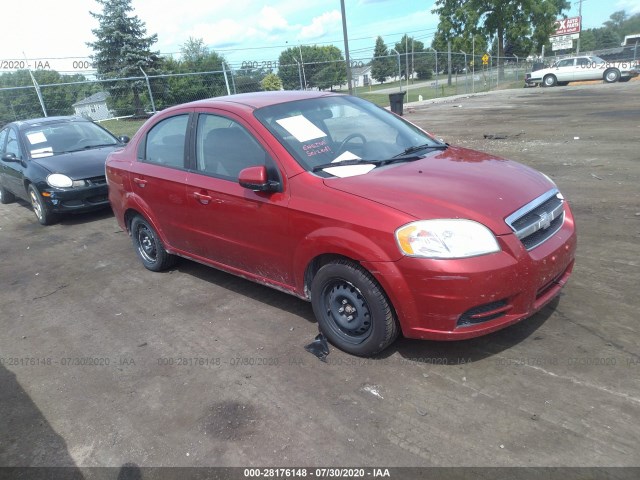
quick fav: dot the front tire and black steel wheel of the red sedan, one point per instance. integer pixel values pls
(352, 310)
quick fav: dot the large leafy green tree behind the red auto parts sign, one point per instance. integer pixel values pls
(533, 19)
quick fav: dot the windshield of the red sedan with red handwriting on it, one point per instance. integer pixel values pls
(344, 132)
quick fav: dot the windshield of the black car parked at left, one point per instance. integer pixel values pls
(64, 137)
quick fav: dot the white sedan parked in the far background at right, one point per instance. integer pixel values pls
(574, 69)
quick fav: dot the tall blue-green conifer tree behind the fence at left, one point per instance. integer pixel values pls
(121, 49)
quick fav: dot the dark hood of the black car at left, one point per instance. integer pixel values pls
(78, 165)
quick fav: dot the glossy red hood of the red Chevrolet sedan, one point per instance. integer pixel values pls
(456, 183)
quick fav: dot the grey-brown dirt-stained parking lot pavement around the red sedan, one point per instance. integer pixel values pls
(105, 363)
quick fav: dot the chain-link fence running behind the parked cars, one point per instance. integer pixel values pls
(422, 75)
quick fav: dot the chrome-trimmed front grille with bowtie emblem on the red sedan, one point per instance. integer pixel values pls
(539, 220)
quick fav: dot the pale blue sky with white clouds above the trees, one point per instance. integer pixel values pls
(54, 33)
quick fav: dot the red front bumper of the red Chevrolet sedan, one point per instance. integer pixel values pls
(465, 298)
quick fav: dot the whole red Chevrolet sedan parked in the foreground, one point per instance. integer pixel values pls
(330, 198)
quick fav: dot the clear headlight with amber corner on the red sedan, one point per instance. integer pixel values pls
(448, 238)
